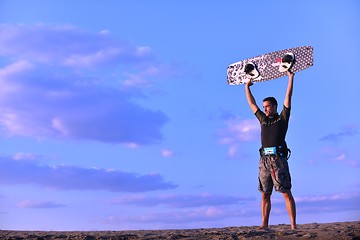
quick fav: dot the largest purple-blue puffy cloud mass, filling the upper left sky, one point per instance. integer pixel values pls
(56, 86)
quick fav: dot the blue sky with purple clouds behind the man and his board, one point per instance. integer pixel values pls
(117, 115)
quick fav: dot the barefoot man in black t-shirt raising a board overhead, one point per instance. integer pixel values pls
(273, 165)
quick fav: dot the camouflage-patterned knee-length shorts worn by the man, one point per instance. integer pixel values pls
(274, 172)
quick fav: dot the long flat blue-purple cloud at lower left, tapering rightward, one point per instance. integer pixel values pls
(20, 171)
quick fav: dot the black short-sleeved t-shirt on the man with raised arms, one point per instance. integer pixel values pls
(273, 129)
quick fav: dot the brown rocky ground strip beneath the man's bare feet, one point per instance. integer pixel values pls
(340, 230)
